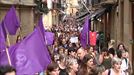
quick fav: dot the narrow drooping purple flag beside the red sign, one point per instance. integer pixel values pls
(85, 33)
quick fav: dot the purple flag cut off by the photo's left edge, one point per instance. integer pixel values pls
(2, 37)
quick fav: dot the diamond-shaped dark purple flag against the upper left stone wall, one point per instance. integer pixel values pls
(11, 21)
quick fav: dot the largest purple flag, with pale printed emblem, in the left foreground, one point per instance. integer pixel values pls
(30, 55)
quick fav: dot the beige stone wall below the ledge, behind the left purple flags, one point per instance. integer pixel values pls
(26, 16)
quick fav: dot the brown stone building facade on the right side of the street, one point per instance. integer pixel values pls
(118, 22)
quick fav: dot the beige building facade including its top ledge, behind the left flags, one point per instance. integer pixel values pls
(25, 12)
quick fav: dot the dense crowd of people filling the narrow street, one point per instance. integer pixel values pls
(68, 57)
